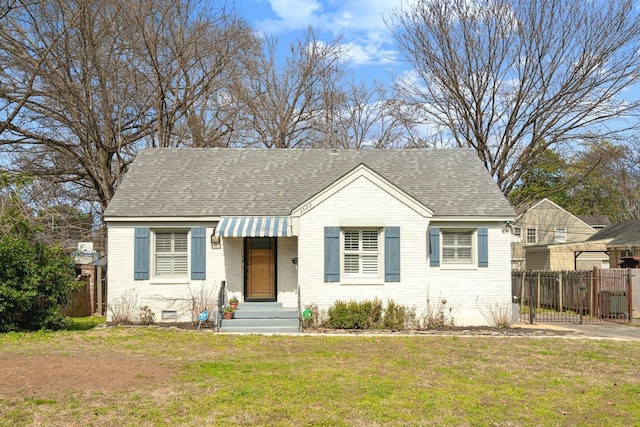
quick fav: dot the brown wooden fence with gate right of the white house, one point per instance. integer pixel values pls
(591, 296)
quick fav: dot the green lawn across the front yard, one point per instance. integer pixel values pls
(324, 380)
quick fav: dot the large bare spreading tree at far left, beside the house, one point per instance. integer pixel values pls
(99, 79)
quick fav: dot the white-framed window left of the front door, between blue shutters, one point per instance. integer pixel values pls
(171, 256)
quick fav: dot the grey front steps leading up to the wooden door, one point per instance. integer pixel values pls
(262, 318)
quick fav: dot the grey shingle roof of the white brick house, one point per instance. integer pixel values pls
(240, 182)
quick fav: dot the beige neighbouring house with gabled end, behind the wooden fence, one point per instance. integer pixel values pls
(547, 237)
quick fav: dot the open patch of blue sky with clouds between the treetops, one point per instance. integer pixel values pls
(360, 23)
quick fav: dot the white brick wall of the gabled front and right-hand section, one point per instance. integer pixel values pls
(469, 292)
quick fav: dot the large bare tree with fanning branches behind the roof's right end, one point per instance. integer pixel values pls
(512, 78)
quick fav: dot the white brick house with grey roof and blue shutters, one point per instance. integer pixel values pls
(307, 227)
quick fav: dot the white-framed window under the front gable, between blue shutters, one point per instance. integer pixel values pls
(361, 253)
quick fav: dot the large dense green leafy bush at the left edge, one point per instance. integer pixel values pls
(36, 280)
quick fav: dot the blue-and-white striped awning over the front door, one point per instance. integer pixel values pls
(253, 226)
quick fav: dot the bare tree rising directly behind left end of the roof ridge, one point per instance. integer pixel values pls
(188, 54)
